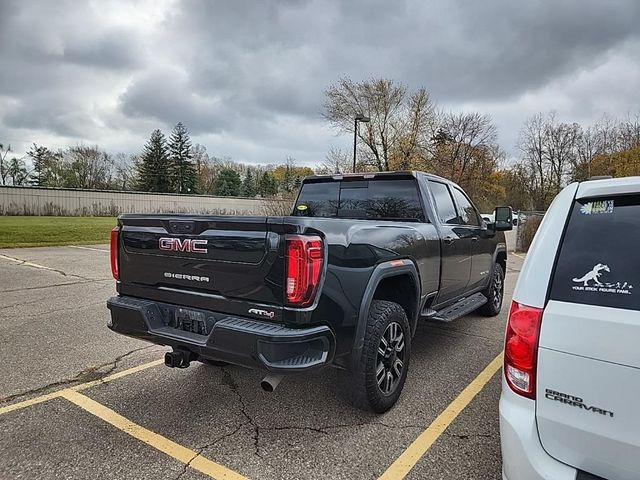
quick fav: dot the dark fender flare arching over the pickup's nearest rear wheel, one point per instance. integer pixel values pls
(382, 271)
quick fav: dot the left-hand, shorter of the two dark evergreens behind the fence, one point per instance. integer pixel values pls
(153, 168)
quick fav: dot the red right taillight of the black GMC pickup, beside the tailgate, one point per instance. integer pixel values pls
(304, 258)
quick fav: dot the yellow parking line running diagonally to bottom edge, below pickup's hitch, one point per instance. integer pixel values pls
(174, 450)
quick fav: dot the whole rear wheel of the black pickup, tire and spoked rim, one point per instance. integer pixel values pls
(380, 373)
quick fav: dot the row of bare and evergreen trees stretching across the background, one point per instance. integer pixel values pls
(406, 131)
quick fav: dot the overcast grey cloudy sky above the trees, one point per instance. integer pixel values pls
(247, 78)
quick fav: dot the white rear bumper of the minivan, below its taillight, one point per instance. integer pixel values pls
(523, 457)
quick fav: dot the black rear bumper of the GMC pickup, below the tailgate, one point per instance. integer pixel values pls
(241, 341)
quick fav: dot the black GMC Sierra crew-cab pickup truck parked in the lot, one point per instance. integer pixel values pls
(342, 281)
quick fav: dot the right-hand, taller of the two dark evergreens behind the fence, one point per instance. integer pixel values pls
(183, 172)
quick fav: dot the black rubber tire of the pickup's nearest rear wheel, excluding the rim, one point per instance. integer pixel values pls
(360, 384)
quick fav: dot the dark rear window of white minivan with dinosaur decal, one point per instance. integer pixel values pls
(599, 261)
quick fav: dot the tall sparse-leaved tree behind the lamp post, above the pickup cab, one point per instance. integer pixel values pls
(395, 116)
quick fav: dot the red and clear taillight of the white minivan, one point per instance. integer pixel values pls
(521, 348)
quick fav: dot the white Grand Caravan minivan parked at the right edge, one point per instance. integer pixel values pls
(570, 403)
